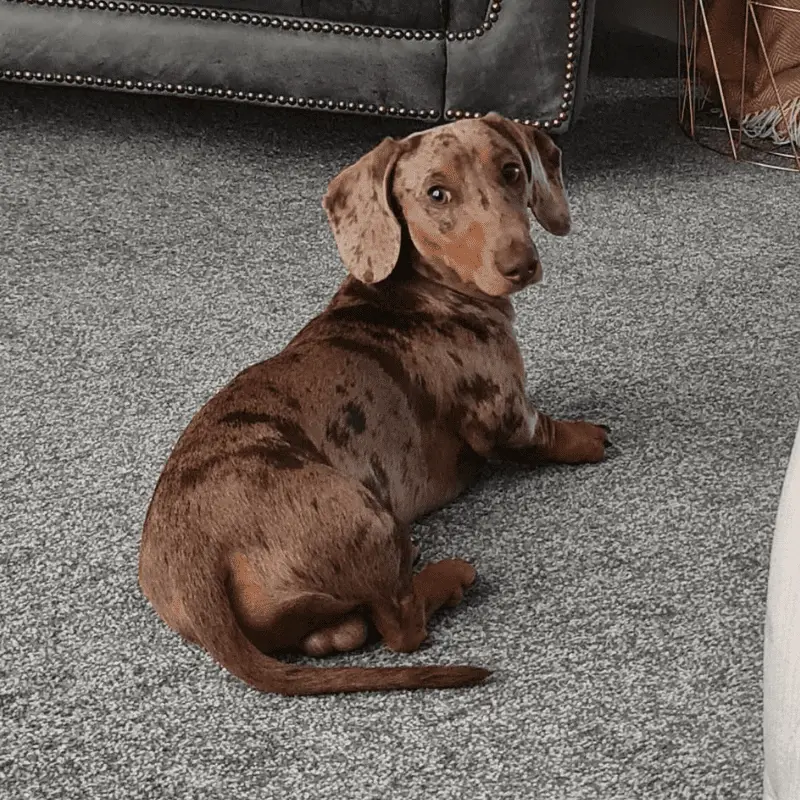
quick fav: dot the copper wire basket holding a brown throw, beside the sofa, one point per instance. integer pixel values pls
(711, 121)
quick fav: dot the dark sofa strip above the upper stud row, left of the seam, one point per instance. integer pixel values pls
(416, 14)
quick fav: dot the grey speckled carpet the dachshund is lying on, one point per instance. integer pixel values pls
(150, 249)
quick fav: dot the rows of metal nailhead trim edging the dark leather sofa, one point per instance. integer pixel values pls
(191, 12)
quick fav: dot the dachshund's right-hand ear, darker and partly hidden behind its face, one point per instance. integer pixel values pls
(548, 200)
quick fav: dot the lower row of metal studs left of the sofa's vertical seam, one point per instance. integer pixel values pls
(262, 98)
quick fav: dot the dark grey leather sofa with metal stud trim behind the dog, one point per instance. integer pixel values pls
(423, 59)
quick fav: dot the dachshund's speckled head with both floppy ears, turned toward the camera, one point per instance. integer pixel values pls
(462, 192)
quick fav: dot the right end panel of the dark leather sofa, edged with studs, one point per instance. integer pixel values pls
(528, 61)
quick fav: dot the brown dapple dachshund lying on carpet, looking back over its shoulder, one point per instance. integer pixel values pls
(281, 520)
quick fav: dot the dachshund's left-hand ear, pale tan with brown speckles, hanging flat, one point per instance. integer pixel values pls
(359, 208)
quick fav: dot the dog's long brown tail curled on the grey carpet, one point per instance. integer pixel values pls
(216, 628)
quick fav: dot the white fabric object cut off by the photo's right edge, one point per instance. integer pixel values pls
(782, 645)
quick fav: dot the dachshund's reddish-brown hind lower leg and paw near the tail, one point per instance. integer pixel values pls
(403, 622)
